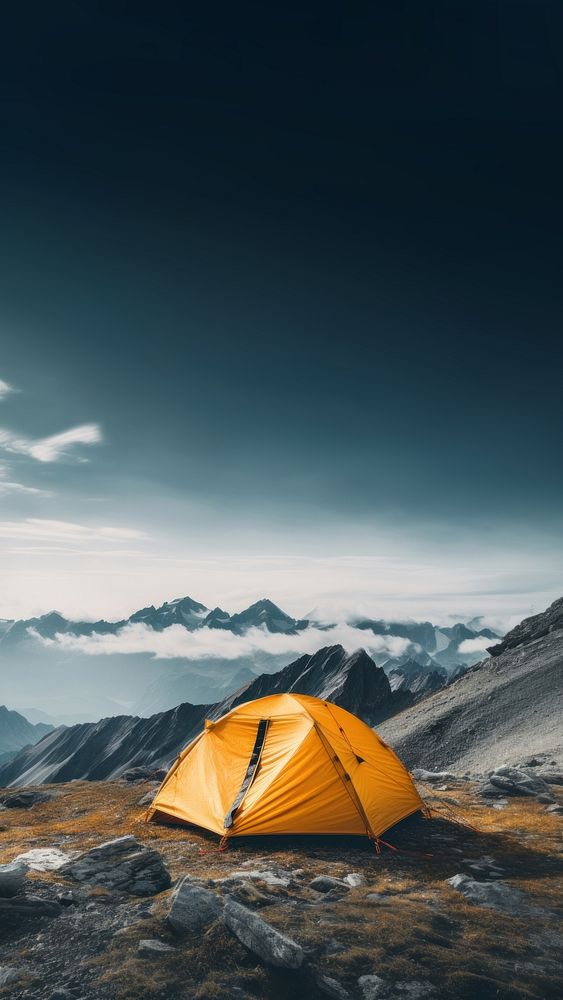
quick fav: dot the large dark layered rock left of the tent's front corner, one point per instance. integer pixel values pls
(123, 864)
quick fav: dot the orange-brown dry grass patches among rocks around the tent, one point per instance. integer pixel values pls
(419, 928)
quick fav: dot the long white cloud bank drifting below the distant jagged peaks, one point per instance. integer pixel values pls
(176, 641)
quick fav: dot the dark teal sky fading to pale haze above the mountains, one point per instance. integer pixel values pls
(280, 307)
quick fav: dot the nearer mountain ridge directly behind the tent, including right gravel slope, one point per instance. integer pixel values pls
(500, 709)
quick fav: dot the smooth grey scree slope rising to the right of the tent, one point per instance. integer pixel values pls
(503, 709)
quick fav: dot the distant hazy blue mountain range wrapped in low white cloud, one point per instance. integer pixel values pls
(74, 679)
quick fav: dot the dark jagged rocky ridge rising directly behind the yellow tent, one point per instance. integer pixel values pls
(107, 748)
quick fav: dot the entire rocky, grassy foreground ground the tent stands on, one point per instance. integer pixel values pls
(457, 911)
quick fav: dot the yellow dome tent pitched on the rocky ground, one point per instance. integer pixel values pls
(287, 764)
